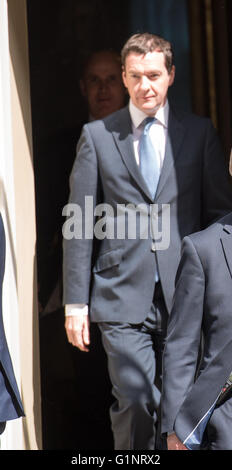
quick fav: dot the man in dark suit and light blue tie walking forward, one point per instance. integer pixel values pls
(171, 163)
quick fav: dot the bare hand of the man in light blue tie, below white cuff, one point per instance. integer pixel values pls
(78, 333)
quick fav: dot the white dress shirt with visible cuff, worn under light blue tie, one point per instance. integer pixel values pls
(158, 135)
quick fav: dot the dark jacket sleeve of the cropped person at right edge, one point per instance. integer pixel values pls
(183, 335)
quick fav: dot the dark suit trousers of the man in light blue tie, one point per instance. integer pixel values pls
(134, 354)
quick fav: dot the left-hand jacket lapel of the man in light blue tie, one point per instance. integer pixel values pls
(123, 137)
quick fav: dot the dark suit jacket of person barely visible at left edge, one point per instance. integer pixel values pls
(10, 402)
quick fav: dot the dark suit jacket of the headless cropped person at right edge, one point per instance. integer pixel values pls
(202, 305)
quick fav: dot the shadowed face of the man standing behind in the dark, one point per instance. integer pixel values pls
(103, 86)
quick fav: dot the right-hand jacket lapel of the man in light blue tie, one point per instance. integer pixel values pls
(175, 137)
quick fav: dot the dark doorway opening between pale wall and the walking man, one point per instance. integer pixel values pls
(75, 388)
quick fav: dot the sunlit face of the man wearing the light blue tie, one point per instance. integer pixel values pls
(147, 80)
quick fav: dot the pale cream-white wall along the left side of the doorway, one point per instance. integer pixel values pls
(17, 205)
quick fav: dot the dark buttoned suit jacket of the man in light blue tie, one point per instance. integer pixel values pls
(116, 276)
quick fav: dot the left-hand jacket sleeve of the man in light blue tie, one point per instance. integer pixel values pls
(78, 235)
